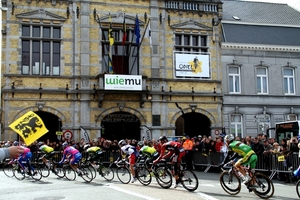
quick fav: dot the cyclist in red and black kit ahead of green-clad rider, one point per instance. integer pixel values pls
(173, 148)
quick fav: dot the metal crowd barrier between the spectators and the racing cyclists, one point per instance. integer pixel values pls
(268, 163)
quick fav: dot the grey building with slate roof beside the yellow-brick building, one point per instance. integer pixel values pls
(261, 60)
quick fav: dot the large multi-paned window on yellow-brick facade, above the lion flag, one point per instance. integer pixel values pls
(41, 50)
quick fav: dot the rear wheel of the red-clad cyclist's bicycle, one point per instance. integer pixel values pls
(189, 180)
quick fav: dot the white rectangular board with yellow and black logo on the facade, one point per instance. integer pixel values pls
(192, 65)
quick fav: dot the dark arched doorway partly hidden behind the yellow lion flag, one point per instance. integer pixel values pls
(52, 123)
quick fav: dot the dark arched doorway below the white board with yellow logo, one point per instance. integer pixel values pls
(193, 124)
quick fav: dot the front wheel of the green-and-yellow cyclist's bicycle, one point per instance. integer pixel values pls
(230, 183)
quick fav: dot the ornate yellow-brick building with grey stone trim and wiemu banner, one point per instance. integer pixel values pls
(58, 59)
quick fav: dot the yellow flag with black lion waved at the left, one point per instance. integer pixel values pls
(30, 127)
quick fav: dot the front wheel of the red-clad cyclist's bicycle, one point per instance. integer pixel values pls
(163, 177)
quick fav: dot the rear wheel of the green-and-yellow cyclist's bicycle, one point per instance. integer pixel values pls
(263, 186)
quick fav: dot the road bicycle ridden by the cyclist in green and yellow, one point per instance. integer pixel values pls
(260, 184)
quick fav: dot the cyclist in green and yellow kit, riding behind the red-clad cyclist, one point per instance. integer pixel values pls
(248, 156)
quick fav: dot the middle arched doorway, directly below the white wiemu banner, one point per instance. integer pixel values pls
(121, 125)
